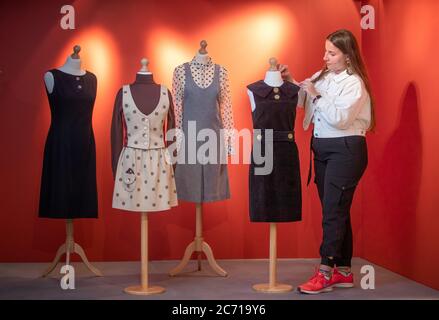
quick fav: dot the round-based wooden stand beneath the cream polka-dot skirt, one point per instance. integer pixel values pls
(144, 288)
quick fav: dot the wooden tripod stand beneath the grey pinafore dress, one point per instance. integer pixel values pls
(198, 246)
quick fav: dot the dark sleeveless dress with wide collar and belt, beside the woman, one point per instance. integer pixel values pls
(277, 196)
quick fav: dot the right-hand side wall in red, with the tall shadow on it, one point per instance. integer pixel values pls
(400, 211)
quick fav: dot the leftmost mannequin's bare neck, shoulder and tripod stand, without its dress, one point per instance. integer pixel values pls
(71, 66)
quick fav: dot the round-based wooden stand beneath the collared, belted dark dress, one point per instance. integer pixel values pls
(273, 286)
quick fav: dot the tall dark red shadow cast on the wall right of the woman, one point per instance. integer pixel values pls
(400, 183)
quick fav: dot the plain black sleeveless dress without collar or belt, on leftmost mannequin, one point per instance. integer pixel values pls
(68, 183)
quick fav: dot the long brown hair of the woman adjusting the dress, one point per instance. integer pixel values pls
(346, 42)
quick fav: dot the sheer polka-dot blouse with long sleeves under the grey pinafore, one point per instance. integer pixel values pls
(203, 76)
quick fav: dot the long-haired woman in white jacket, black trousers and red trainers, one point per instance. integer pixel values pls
(337, 100)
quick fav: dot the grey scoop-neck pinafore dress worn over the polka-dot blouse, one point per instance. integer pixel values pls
(201, 178)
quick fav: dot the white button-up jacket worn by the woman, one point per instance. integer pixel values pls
(343, 110)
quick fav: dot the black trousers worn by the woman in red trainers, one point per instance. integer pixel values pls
(339, 163)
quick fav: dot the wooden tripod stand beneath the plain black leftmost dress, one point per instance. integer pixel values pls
(70, 246)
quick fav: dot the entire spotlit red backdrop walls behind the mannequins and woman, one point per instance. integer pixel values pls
(391, 205)
